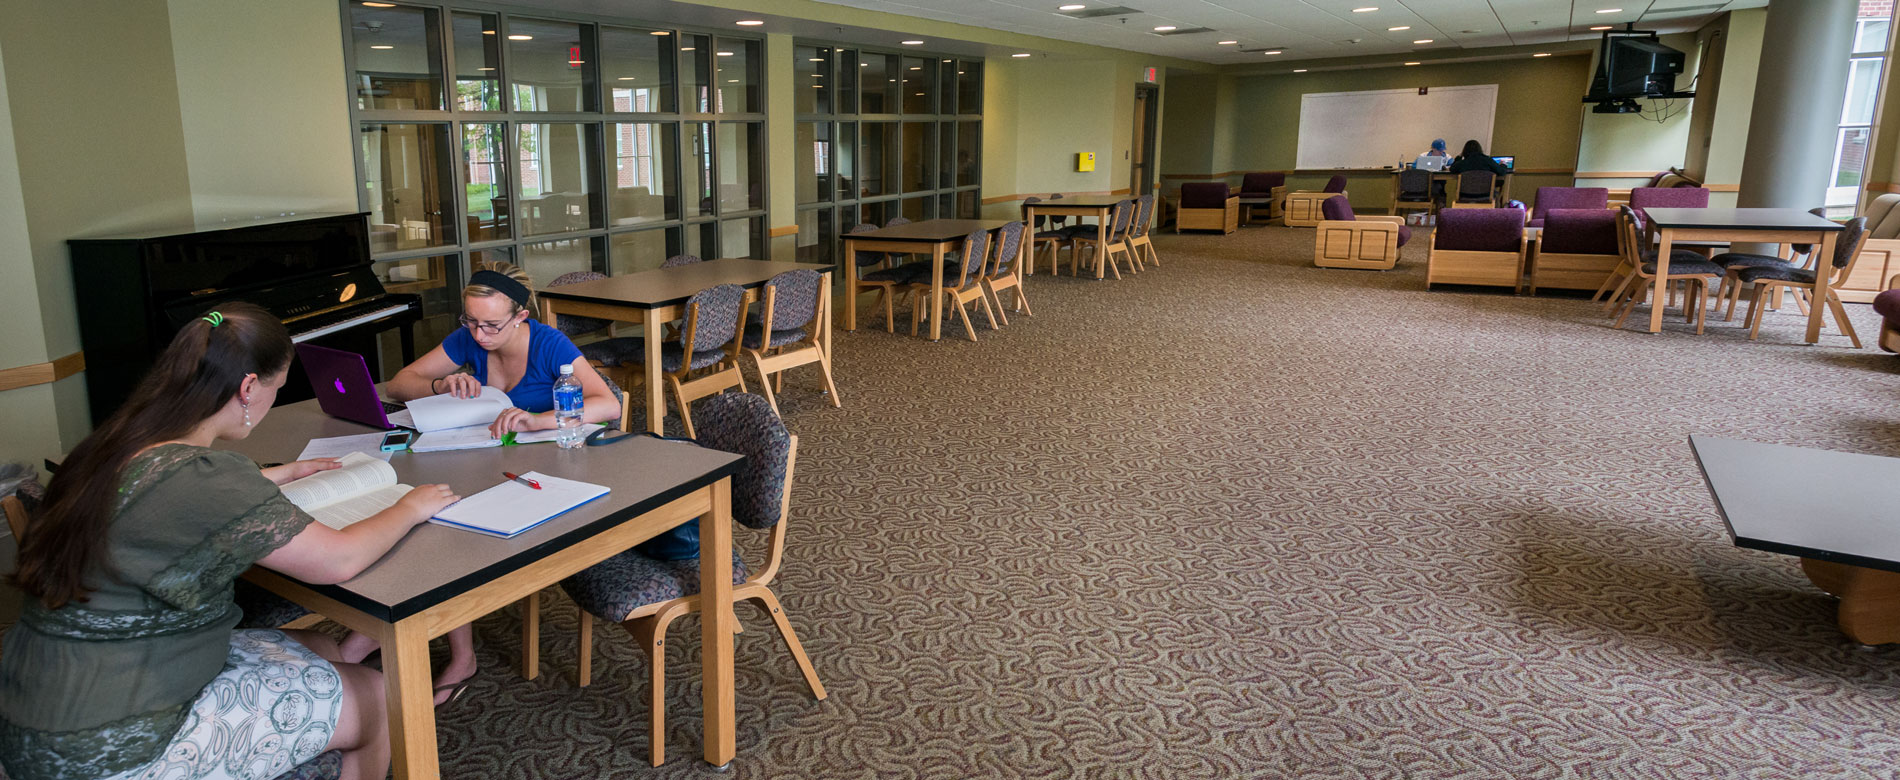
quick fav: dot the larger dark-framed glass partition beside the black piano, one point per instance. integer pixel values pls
(556, 141)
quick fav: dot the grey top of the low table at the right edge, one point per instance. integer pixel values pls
(1812, 504)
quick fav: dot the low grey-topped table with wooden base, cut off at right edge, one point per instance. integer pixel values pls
(1833, 510)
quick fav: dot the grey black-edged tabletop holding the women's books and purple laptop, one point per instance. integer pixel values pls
(434, 565)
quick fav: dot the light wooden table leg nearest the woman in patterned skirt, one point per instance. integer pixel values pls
(406, 680)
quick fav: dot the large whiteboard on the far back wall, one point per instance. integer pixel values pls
(1384, 126)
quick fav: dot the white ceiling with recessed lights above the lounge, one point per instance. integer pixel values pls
(1314, 29)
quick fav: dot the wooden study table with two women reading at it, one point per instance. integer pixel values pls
(442, 578)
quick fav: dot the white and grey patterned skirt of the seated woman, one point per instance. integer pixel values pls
(273, 709)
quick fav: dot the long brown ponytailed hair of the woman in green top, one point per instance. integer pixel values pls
(193, 381)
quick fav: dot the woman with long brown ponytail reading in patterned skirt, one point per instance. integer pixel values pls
(124, 661)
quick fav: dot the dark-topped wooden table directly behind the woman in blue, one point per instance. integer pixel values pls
(658, 297)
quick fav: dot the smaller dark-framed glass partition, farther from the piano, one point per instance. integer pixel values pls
(883, 136)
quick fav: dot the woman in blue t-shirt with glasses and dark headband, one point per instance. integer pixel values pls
(516, 354)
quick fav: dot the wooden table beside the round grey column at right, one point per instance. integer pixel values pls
(1743, 225)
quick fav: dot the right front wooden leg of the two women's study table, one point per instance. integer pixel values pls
(717, 625)
